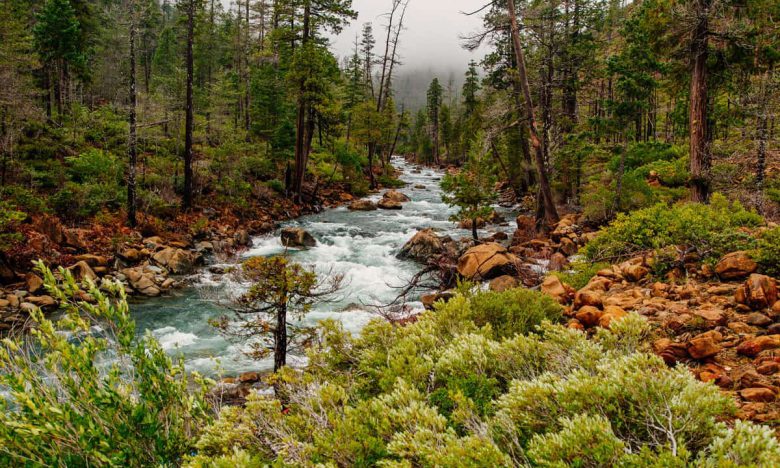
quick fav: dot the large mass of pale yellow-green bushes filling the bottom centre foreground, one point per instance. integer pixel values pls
(448, 390)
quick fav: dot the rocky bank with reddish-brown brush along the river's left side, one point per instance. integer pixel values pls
(150, 260)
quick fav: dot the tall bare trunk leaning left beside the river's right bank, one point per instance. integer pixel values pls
(547, 214)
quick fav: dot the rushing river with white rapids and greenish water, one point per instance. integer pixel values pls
(361, 245)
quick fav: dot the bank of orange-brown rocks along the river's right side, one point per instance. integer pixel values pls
(722, 322)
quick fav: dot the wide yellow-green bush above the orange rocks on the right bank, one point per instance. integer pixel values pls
(709, 230)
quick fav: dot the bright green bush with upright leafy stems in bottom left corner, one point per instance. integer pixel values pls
(64, 404)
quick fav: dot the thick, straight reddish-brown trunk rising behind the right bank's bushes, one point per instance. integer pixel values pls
(701, 158)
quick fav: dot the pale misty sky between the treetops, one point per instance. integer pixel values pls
(431, 39)
